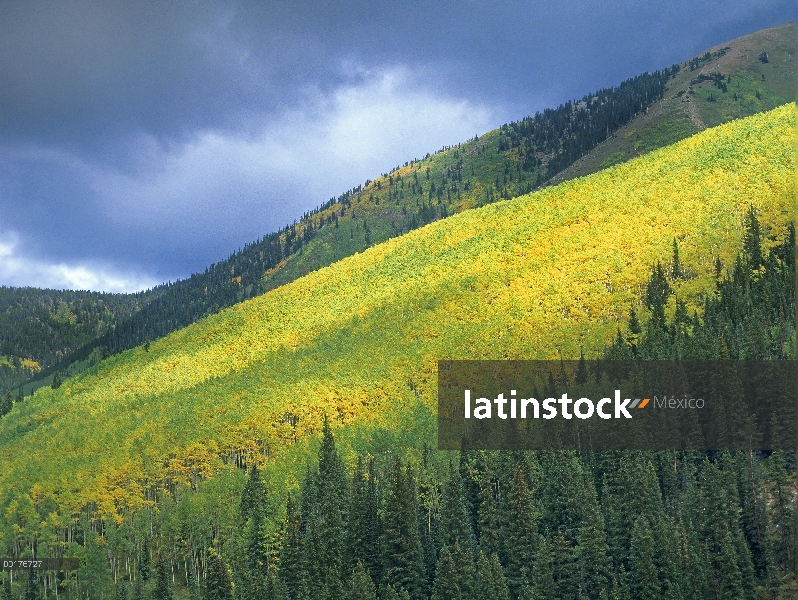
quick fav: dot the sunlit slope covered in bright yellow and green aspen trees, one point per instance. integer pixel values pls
(359, 340)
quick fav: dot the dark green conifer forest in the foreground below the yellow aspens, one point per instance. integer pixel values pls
(420, 523)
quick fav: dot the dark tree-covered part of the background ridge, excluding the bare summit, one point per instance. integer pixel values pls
(512, 161)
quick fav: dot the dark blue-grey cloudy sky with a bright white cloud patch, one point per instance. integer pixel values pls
(142, 141)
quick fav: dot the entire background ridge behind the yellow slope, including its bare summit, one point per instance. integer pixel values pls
(639, 115)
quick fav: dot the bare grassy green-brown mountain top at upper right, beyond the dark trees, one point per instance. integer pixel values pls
(750, 74)
